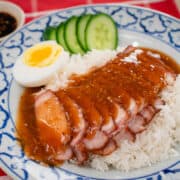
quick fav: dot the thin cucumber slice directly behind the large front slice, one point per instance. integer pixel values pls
(81, 27)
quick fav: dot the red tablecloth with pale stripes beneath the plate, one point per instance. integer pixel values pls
(36, 8)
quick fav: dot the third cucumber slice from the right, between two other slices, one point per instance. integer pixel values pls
(70, 33)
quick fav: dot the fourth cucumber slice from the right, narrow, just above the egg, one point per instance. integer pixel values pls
(60, 36)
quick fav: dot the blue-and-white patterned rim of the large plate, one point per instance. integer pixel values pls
(12, 159)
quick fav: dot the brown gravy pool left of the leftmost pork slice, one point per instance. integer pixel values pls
(27, 131)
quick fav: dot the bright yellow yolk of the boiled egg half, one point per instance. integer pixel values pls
(42, 55)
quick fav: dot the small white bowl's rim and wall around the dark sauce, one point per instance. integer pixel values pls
(15, 11)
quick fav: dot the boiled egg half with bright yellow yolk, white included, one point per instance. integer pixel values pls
(38, 64)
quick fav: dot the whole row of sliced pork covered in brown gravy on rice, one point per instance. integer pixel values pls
(96, 111)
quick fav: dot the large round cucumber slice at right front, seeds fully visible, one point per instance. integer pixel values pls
(101, 32)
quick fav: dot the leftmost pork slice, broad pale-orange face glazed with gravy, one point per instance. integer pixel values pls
(51, 118)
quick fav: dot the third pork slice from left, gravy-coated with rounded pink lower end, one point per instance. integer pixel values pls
(93, 138)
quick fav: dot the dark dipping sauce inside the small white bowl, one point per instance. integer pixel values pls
(7, 24)
